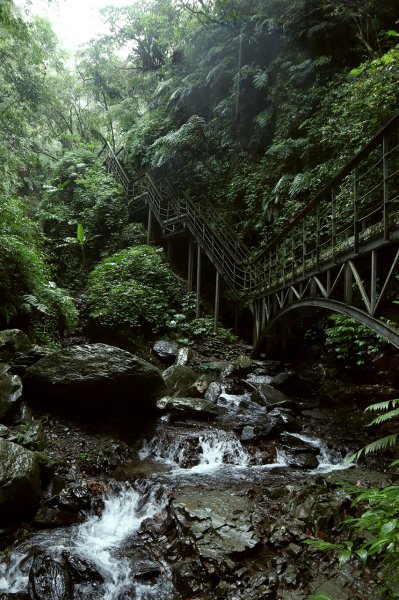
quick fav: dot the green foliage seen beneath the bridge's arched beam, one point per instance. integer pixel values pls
(350, 341)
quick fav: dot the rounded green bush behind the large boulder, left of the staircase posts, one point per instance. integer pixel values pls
(133, 288)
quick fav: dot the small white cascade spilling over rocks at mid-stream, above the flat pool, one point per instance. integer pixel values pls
(202, 452)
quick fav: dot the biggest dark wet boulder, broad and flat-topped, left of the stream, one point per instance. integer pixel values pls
(94, 378)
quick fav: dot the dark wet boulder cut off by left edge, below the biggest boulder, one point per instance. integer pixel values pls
(20, 484)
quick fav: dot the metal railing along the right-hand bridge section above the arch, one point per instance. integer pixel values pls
(359, 208)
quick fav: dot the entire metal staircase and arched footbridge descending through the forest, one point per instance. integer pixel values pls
(340, 252)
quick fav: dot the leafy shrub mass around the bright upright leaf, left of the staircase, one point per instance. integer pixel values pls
(82, 203)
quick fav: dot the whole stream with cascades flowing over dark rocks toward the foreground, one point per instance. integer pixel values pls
(199, 510)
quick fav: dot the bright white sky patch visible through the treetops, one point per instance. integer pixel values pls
(74, 21)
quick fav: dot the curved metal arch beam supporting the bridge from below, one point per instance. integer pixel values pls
(387, 332)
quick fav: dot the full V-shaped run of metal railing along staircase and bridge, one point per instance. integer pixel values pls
(356, 212)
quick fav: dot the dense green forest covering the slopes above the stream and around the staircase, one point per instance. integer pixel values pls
(248, 107)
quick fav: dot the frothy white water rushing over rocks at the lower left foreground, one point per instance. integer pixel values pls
(98, 540)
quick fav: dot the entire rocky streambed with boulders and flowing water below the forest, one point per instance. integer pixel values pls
(200, 480)
